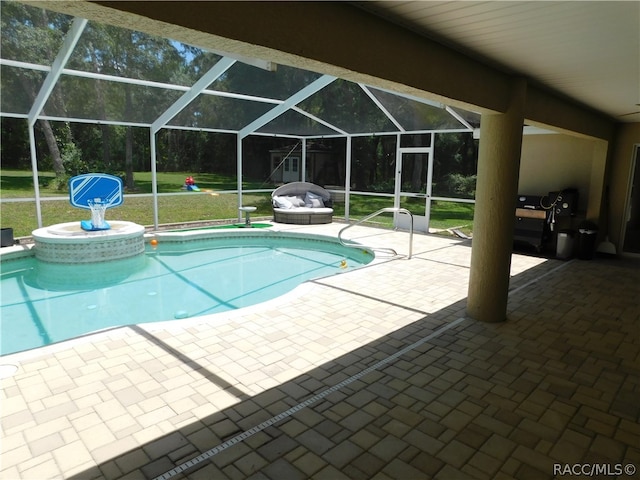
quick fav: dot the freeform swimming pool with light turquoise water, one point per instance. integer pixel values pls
(184, 276)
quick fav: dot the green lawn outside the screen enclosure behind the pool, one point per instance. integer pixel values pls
(192, 206)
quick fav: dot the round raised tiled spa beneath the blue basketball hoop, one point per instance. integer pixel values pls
(69, 243)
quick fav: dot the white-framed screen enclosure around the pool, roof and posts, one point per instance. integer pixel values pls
(57, 68)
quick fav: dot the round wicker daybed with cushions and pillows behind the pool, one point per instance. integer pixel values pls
(301, 203)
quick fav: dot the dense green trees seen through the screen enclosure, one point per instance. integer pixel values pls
(35, 35)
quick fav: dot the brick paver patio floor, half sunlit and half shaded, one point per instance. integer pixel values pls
(375, 373)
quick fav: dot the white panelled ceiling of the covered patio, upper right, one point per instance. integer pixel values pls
(586, 50)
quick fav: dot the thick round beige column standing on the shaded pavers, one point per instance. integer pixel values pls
(494, 219)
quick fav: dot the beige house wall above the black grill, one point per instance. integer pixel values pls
(553, 162)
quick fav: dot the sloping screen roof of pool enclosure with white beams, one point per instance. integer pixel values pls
(270, 100)
